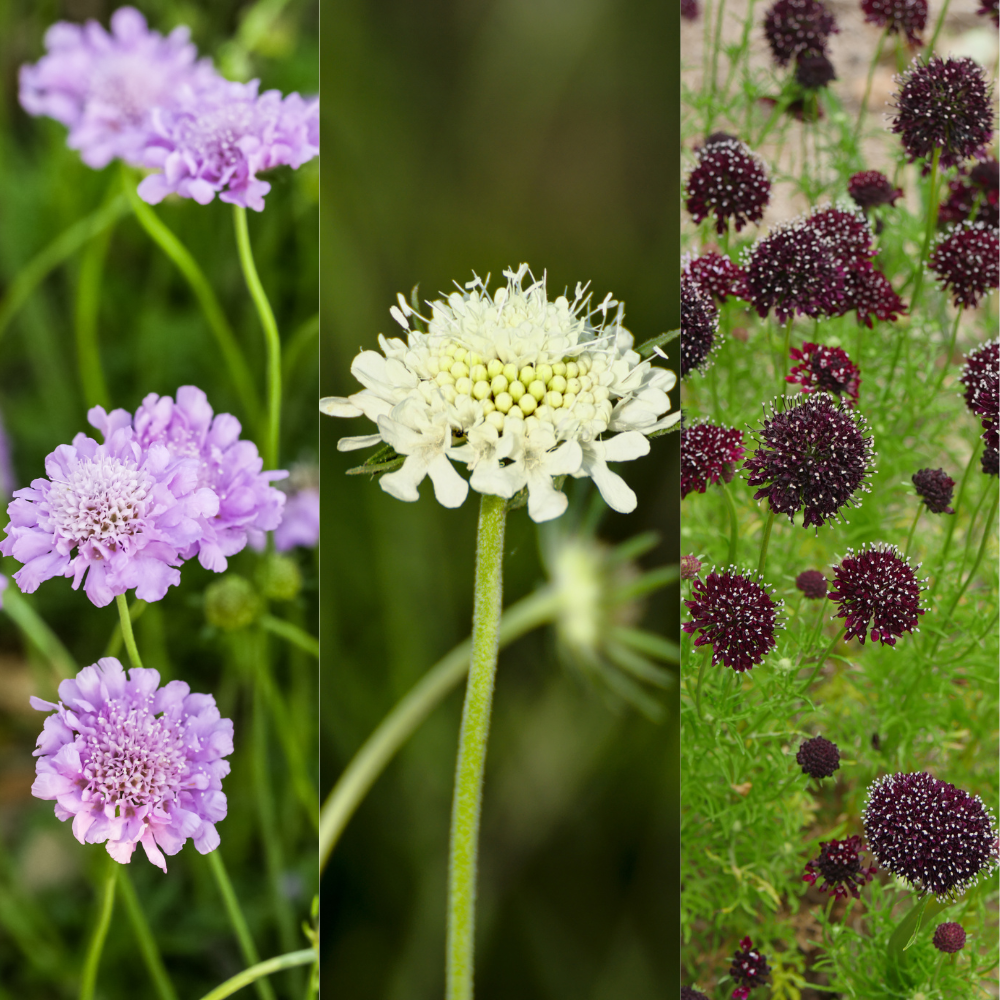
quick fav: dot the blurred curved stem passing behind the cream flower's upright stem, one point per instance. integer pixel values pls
(409, 713)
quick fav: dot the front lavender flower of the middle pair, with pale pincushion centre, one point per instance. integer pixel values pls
(115, 513)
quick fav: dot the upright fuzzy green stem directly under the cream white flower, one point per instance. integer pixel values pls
(464, 842)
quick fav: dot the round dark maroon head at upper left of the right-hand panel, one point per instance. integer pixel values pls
(729, 182)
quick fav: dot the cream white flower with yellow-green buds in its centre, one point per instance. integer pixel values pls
(518, 388)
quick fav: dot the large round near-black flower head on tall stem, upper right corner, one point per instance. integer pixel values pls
(945, 103)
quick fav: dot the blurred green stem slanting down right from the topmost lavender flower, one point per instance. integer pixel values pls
(229, 347)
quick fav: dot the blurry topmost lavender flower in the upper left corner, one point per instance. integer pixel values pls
(104, 87)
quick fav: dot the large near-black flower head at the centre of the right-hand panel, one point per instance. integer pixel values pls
(813, 456)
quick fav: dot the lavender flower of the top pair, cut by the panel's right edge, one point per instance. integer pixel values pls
(217, 141)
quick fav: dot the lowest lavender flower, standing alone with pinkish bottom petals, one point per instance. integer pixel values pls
(133, 763)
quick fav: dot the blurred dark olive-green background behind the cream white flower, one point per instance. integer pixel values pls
(477, 134)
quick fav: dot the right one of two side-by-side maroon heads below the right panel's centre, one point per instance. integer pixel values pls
(877, 587)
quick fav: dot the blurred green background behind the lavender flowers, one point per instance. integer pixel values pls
(153, 338)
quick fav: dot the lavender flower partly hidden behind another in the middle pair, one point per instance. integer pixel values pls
(227, 465)
